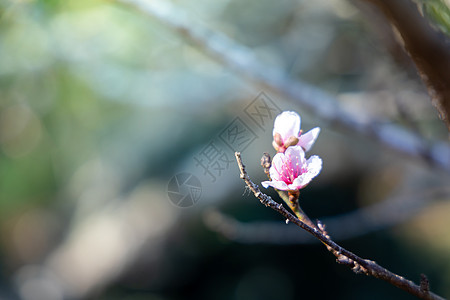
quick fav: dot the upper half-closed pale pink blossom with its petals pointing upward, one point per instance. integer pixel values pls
(286, 132)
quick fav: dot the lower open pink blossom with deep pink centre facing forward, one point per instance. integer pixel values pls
(290, 170)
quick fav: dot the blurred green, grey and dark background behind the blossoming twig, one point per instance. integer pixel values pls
(101, 105)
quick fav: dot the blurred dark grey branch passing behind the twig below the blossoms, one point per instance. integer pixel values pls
(391, 211)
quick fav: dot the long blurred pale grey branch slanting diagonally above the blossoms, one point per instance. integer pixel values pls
(241, 59)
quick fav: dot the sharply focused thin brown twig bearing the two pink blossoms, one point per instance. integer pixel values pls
(343, 256)
